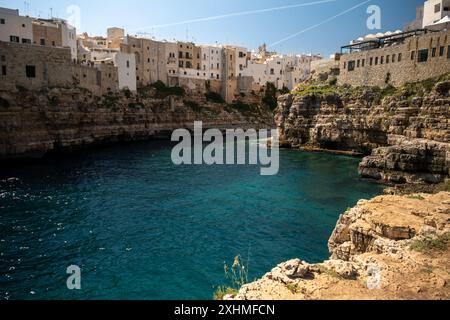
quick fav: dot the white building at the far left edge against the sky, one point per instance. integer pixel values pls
(15, 28)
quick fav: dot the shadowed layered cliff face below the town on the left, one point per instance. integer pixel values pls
(35, 123)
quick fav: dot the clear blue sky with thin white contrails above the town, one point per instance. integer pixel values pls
(248, 30)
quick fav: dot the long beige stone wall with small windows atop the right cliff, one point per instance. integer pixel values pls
(398, 64)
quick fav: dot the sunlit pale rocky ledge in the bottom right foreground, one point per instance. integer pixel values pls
(391, 247)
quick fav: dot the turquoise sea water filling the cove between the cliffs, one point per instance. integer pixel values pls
(141, 228)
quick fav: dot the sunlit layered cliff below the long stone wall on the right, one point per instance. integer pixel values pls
(408, 133)
